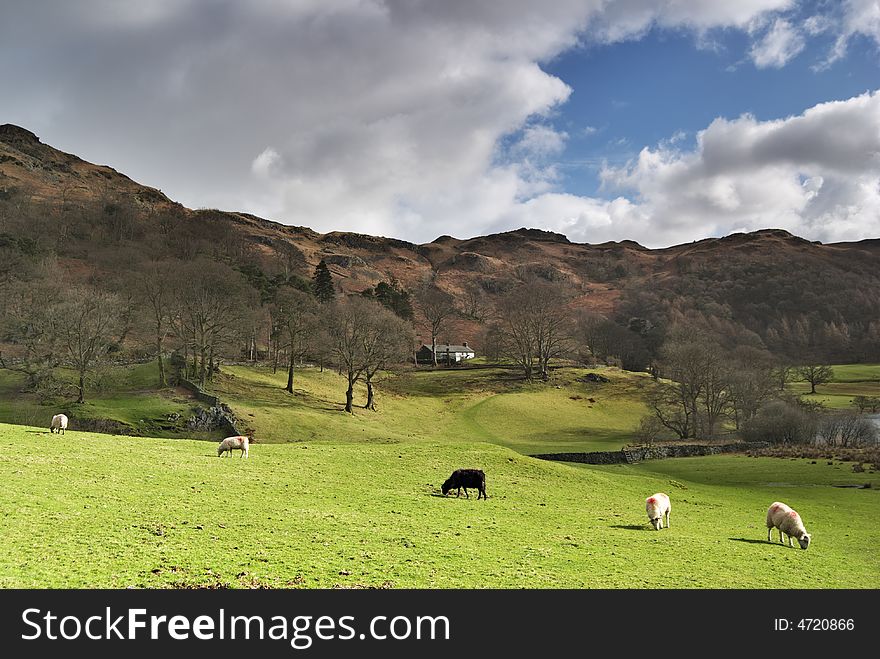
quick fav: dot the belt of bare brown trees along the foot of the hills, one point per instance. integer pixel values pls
(207, 298)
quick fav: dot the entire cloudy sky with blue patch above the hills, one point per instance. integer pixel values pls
(661, 121)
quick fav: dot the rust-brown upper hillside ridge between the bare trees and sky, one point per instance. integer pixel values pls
(768, 287)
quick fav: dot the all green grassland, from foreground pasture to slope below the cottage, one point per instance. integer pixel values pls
(330, 499)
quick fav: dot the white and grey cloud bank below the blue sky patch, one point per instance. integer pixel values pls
(816, 174)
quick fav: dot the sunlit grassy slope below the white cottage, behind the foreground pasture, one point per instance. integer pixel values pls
(490, 405)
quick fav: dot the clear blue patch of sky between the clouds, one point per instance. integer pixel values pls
(637, 93)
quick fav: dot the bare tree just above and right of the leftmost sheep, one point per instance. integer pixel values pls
(90, 325)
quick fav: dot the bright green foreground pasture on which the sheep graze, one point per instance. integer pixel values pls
(102, 511)
